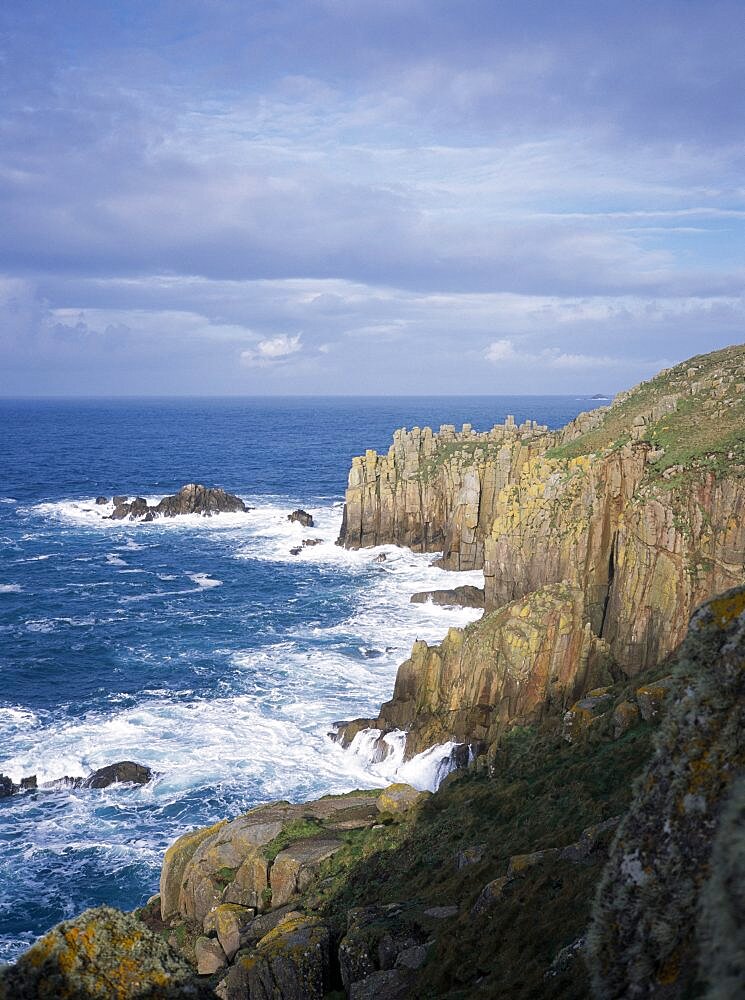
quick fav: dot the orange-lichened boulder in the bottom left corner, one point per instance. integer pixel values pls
(103, 954)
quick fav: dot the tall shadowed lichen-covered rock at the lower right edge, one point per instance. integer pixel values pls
(643, 939)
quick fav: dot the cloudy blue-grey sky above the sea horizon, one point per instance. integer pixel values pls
(367, 196)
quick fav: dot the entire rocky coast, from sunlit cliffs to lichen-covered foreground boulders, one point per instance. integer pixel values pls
(589, 844)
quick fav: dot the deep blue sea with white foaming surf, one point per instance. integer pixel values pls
(199, 646)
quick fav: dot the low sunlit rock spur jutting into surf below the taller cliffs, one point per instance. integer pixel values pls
(514, 664)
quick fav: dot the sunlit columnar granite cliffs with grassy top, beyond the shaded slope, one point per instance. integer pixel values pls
(637, 511)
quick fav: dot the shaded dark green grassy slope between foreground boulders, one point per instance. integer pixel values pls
(541, 792)
